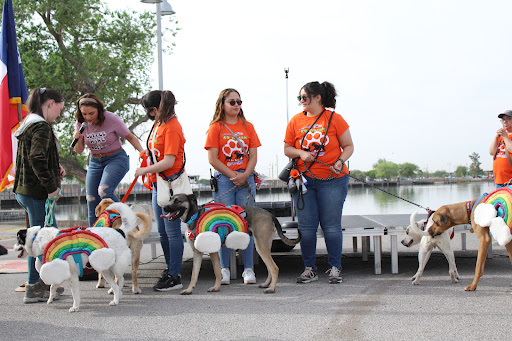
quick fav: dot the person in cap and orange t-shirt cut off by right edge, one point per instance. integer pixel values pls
(500, 146)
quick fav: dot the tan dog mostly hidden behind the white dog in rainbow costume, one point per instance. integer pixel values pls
(134, 240)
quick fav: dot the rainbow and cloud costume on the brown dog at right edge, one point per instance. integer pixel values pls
(495, 211)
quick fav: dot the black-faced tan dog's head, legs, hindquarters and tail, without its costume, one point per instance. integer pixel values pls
(260, 222)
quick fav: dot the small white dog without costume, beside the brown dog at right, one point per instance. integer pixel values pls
(415, 235)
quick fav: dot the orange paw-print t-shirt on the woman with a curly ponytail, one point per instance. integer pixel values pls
(299, 126)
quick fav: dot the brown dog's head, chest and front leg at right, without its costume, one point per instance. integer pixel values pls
(462, 213)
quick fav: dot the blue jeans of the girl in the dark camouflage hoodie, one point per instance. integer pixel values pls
(36, 214)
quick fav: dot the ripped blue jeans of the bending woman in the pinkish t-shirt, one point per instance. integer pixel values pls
(103, 176)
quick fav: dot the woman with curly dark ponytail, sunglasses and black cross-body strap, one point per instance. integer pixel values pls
(319, 140)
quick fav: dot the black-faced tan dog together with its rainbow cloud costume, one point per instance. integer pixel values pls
(211, 226)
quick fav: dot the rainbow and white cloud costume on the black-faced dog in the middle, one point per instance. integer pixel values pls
(219, 225)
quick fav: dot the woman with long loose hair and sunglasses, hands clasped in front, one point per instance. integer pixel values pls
(232, 146)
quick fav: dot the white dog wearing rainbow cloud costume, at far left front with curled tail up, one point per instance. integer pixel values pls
(62, 254)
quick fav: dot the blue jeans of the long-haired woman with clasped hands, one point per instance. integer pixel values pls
(238, 196)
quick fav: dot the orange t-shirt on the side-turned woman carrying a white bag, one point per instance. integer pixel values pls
(168, 139)
